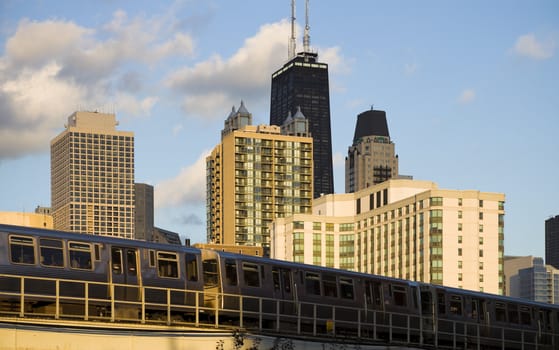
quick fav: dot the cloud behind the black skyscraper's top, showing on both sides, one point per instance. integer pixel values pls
(212, 85)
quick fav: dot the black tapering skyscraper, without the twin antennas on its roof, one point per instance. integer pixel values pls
(303, 82)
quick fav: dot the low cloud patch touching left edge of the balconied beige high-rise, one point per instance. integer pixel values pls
(189, 186)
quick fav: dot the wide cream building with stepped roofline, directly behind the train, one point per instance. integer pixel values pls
(405, 229)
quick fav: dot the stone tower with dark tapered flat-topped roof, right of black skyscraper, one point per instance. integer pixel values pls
(372, 158)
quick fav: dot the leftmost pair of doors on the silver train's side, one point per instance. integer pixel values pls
(125, 273)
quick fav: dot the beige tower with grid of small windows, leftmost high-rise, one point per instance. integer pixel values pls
(92, 176)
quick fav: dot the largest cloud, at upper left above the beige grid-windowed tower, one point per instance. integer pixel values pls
(50, 68)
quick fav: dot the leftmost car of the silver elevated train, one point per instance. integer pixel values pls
(127, 265)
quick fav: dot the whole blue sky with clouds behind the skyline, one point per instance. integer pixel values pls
(470, 90)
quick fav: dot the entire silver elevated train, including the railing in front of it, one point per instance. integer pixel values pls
(108, 277)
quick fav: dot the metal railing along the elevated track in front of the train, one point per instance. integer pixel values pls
(25, 297)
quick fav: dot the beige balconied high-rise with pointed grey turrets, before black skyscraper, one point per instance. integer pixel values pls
(257, 174)
